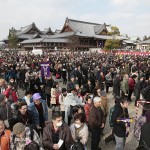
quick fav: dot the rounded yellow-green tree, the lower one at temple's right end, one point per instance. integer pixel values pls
(111, 44)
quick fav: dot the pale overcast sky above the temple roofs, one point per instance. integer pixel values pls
(131, 16)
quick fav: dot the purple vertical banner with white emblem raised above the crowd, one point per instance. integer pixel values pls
(45, 69)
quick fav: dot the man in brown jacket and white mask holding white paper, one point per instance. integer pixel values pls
(56, 131)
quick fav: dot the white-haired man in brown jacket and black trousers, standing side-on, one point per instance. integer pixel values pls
(96, 123)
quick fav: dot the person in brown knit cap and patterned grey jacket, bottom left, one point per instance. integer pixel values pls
(22, 135)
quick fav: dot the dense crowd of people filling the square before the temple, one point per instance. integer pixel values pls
(76, 94)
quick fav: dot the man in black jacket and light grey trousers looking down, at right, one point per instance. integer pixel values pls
(120, 128)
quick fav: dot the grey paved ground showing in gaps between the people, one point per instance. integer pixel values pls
(131, 143)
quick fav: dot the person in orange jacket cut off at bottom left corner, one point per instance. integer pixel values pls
(4, 137)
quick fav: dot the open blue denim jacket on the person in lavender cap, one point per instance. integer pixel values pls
(35, 113)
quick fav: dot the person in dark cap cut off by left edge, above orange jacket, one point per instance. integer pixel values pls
(5, 109)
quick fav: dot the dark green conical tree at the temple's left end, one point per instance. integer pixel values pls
(12, 39)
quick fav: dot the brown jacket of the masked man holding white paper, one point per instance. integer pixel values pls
(64, 134)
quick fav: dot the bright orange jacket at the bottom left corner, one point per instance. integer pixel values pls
(4, 140)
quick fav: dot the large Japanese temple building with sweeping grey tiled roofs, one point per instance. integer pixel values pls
(76, 35)
